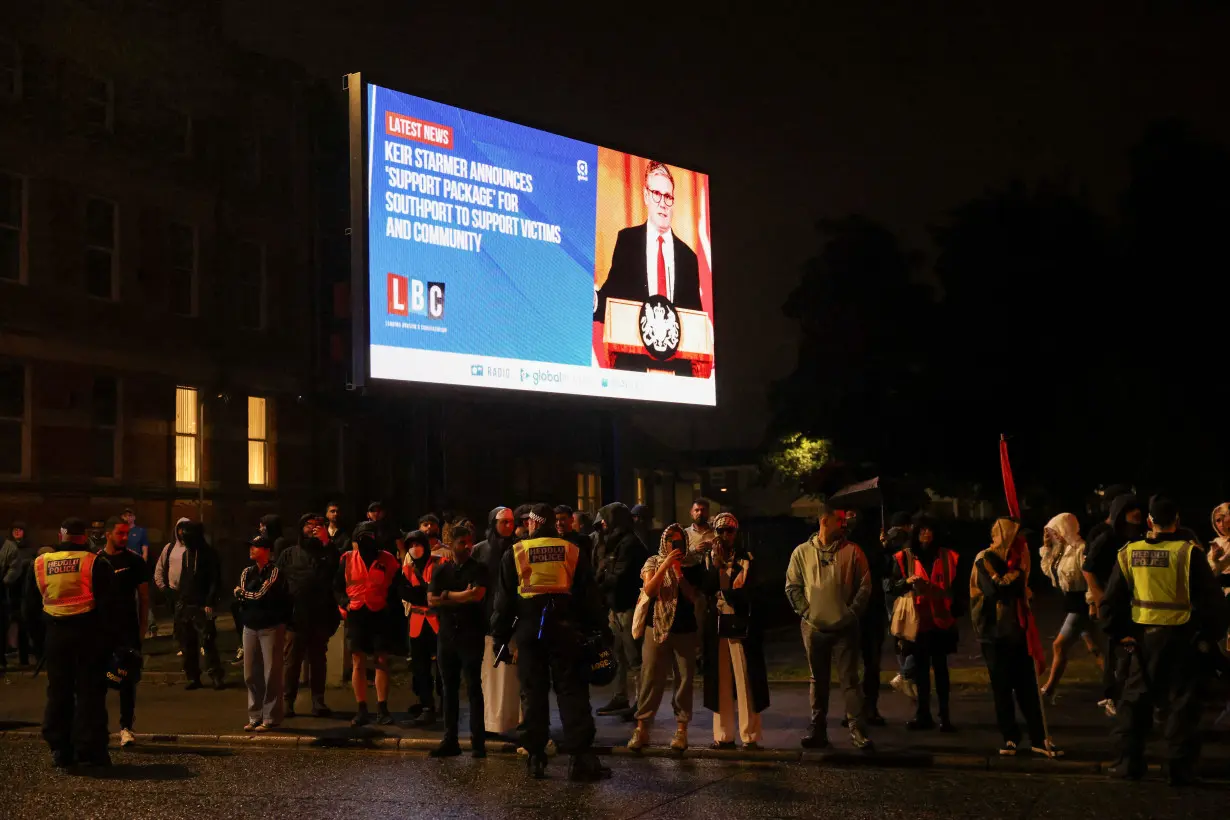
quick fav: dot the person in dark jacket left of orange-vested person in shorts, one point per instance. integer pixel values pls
(309, 570)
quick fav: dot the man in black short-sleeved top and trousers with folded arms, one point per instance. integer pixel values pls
(458, 592)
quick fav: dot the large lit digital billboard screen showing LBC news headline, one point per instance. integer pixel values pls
(507, 258)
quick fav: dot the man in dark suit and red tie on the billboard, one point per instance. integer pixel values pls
(650, 260)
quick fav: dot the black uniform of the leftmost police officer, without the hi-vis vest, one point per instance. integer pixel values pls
(77, 652)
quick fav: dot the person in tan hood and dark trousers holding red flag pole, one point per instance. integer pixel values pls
(999, 589)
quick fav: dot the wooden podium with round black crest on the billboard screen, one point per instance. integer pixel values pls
(660, 336)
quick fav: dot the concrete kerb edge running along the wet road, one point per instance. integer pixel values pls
(837, 759)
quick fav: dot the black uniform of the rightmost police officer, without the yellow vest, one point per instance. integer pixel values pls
(1165, 668)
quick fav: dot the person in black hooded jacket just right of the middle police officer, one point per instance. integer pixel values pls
(619, 578)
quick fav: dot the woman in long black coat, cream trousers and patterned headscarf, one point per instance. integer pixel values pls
(735, 658)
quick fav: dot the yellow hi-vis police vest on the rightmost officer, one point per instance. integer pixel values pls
(1158, 575)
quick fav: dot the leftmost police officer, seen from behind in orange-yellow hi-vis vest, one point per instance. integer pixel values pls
(68, 586)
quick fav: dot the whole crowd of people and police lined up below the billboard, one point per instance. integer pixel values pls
(522, 612)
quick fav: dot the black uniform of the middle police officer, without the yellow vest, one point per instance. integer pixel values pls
(550, 652)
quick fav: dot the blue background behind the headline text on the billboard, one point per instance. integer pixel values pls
(518, 298)
